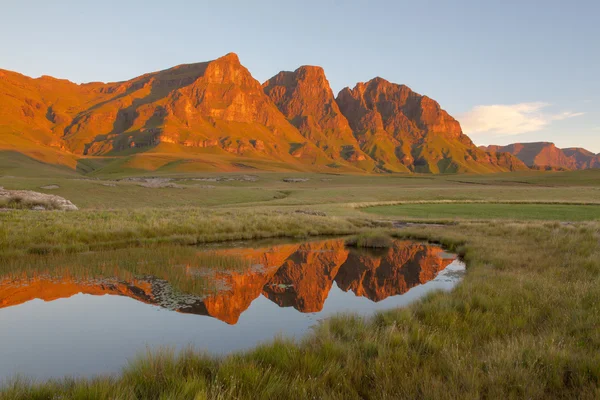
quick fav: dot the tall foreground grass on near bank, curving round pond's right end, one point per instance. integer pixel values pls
(523, 324)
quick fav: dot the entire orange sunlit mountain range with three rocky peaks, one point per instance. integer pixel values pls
(215, 116)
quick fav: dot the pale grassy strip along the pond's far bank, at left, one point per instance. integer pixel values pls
(25, 232)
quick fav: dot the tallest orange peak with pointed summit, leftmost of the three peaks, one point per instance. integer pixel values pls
(216, 105)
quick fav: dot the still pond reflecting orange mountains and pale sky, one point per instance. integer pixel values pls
(61, 321)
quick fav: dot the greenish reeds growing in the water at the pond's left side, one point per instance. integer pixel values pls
(169, 263)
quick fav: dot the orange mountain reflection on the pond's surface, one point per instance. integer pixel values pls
(297, 275)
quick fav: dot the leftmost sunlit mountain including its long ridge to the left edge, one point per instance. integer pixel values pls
(214, 107)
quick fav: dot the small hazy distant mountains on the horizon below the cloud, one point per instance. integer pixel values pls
(545, 155)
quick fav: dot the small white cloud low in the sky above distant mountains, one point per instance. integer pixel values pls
(510, 119)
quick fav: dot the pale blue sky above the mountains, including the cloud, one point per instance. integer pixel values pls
(536, 61)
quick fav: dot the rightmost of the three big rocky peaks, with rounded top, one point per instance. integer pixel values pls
(405, 131)
